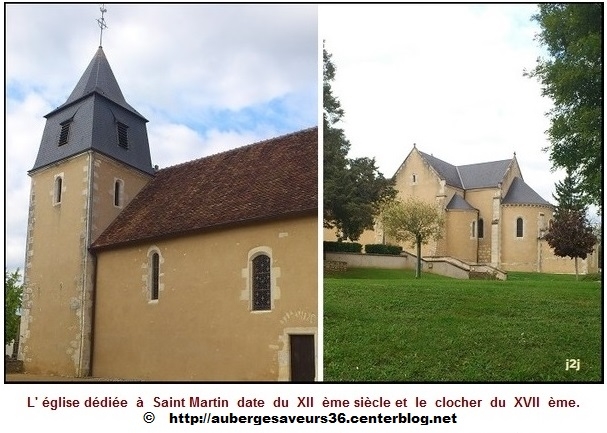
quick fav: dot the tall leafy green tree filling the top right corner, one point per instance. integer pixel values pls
(572, 76)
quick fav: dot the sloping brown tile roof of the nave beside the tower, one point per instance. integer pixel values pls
(271, 179)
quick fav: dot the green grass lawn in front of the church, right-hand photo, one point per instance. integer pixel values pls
(385, 325)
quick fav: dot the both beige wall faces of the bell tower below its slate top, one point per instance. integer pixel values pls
(58, 278)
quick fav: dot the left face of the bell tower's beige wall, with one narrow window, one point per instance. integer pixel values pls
(54, 302)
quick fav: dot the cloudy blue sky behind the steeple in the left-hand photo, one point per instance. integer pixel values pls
(207, 77)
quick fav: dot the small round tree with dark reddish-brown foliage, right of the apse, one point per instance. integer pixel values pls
(571, 236)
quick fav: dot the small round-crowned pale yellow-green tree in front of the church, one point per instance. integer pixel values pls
(412, 220)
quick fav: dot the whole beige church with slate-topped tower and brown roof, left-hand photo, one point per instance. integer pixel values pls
(204, 271)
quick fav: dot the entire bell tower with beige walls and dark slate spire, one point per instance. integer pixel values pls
(94, 157)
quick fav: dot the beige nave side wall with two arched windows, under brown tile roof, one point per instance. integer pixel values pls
(202, 326)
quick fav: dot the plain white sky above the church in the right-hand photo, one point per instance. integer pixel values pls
(447, 77)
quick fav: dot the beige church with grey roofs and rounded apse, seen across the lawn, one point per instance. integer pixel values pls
(491, 215)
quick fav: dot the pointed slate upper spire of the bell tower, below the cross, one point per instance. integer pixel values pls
(98, 78)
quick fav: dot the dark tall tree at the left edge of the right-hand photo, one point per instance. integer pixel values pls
(353, 189)
